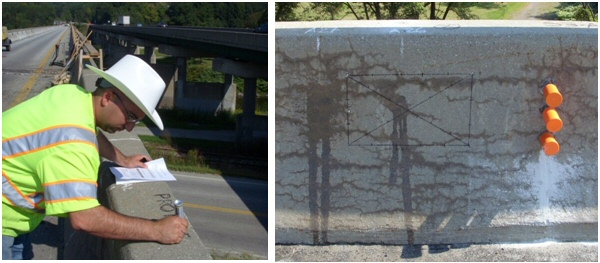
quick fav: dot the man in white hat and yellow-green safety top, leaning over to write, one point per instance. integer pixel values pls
(51, 152)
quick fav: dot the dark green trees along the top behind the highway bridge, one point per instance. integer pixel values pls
(239, 15)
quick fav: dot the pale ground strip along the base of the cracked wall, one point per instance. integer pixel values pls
(542, 251)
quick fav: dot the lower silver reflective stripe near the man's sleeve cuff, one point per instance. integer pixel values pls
(69, 190)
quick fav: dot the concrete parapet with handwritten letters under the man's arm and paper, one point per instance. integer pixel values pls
(144, 200)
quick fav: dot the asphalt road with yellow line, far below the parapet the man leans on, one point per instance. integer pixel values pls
(229, 214)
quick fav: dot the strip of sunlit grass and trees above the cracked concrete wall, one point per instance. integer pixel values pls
(305, 11)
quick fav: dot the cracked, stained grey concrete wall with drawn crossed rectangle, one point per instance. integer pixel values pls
(426, 132)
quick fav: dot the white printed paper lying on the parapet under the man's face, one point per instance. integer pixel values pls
(157, 171)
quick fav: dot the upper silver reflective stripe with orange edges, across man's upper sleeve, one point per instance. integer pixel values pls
(43, 139)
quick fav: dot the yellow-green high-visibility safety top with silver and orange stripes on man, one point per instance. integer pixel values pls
(50, 158)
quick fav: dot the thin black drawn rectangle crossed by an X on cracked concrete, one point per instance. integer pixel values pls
(407, 110)
